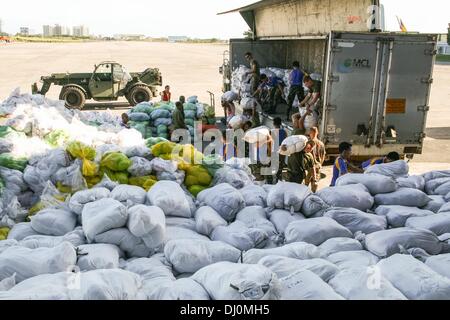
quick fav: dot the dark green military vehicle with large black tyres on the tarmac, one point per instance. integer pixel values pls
(109, 81)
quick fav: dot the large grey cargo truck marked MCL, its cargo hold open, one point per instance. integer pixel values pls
(375, 85)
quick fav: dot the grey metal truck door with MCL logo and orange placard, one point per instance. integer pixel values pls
(376, 91)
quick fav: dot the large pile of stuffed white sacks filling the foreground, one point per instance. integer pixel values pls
(378, 235)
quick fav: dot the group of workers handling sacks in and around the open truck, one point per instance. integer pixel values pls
(304, 166)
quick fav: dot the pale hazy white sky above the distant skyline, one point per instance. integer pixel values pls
(194, 18)
